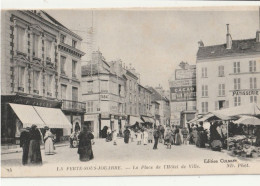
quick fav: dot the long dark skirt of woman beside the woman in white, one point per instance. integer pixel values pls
(34, 156)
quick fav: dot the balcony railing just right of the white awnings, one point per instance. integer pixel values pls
(73, 106)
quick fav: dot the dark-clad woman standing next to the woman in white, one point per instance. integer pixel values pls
(34, 156)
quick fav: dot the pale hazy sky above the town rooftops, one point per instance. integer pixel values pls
(155, 41)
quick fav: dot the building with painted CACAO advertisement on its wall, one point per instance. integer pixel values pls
(183, 94)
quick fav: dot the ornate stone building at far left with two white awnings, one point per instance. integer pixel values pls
(30, 73)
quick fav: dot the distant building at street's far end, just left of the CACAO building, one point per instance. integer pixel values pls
(164, 105)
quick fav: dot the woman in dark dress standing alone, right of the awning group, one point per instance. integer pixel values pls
(85, 147)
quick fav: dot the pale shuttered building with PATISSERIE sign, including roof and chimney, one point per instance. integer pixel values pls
(228, 75)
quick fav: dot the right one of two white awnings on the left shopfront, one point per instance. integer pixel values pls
(53, 118)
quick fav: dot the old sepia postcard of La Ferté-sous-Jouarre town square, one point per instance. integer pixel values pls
(130, 91)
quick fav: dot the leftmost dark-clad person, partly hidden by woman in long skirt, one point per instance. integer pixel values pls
(24, 143)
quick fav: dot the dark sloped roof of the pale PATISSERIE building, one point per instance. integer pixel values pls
(239, 47)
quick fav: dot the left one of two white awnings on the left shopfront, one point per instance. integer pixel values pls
(27, 115)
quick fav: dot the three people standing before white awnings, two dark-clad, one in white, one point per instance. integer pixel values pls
(31, 139)
